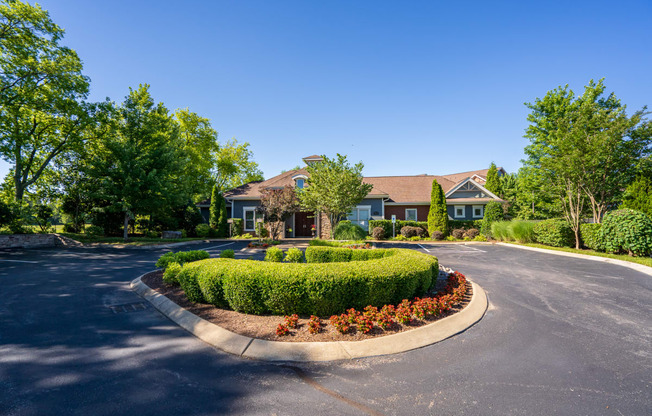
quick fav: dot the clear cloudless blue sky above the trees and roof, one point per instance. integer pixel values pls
(406, 87)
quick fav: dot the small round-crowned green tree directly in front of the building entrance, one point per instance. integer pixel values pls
(333, 188)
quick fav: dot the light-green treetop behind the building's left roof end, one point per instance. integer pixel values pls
(234, 166)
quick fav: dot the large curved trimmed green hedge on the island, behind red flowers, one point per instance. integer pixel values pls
(318, 288)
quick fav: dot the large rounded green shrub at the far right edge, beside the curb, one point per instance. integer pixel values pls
(628, 231)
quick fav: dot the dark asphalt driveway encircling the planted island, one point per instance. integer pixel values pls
(562, 336)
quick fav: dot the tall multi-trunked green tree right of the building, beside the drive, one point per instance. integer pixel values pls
(585, 147)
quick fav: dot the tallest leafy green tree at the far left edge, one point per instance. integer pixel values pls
(42, 92)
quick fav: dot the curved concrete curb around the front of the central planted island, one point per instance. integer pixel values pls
(316, 351)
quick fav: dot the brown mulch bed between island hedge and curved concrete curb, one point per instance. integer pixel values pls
(264, 326)
